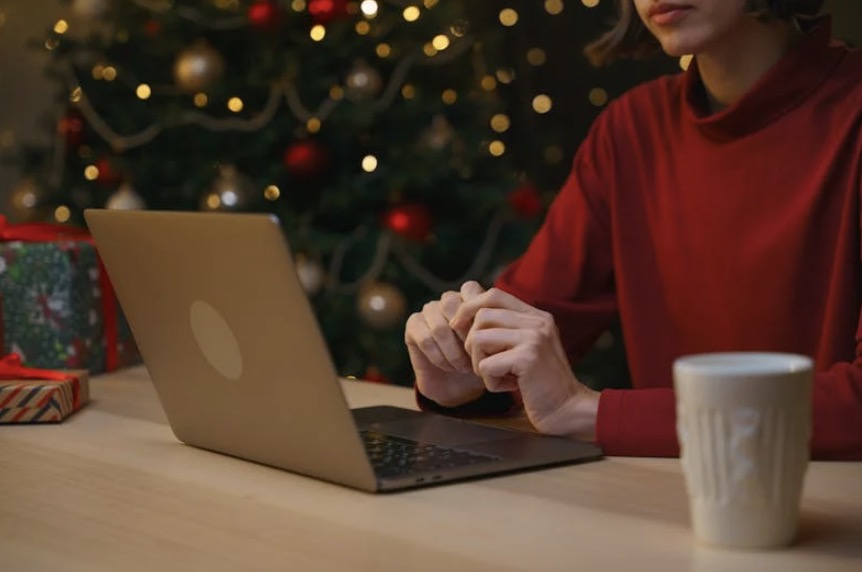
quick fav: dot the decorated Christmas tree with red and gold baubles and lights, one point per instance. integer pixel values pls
(375, 131)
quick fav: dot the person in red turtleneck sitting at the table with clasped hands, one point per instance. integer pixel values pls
(717, 209)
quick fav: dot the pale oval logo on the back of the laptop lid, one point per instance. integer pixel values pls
(216, 340)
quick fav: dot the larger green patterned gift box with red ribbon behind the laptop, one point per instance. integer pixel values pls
(58, 309)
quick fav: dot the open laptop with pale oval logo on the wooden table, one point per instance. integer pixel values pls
(241, 367)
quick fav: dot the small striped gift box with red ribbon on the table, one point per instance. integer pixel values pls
(30, 395)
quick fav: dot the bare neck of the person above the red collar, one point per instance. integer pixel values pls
(729, 70)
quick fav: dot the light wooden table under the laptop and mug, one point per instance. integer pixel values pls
(111, 489)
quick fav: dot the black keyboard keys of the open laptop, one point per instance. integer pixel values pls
(394, 456)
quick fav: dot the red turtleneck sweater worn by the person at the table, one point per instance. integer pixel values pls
(738, 230)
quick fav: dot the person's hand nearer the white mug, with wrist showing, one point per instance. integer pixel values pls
(513, 345)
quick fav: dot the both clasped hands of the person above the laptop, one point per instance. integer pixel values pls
(478, 340)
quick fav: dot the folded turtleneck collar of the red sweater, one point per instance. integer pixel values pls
(781, 88)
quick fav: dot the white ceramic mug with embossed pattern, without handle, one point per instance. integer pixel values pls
(744, 426)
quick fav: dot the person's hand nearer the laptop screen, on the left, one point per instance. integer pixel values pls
(444, 372)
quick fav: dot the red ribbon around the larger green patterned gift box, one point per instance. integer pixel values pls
(50, 232)
